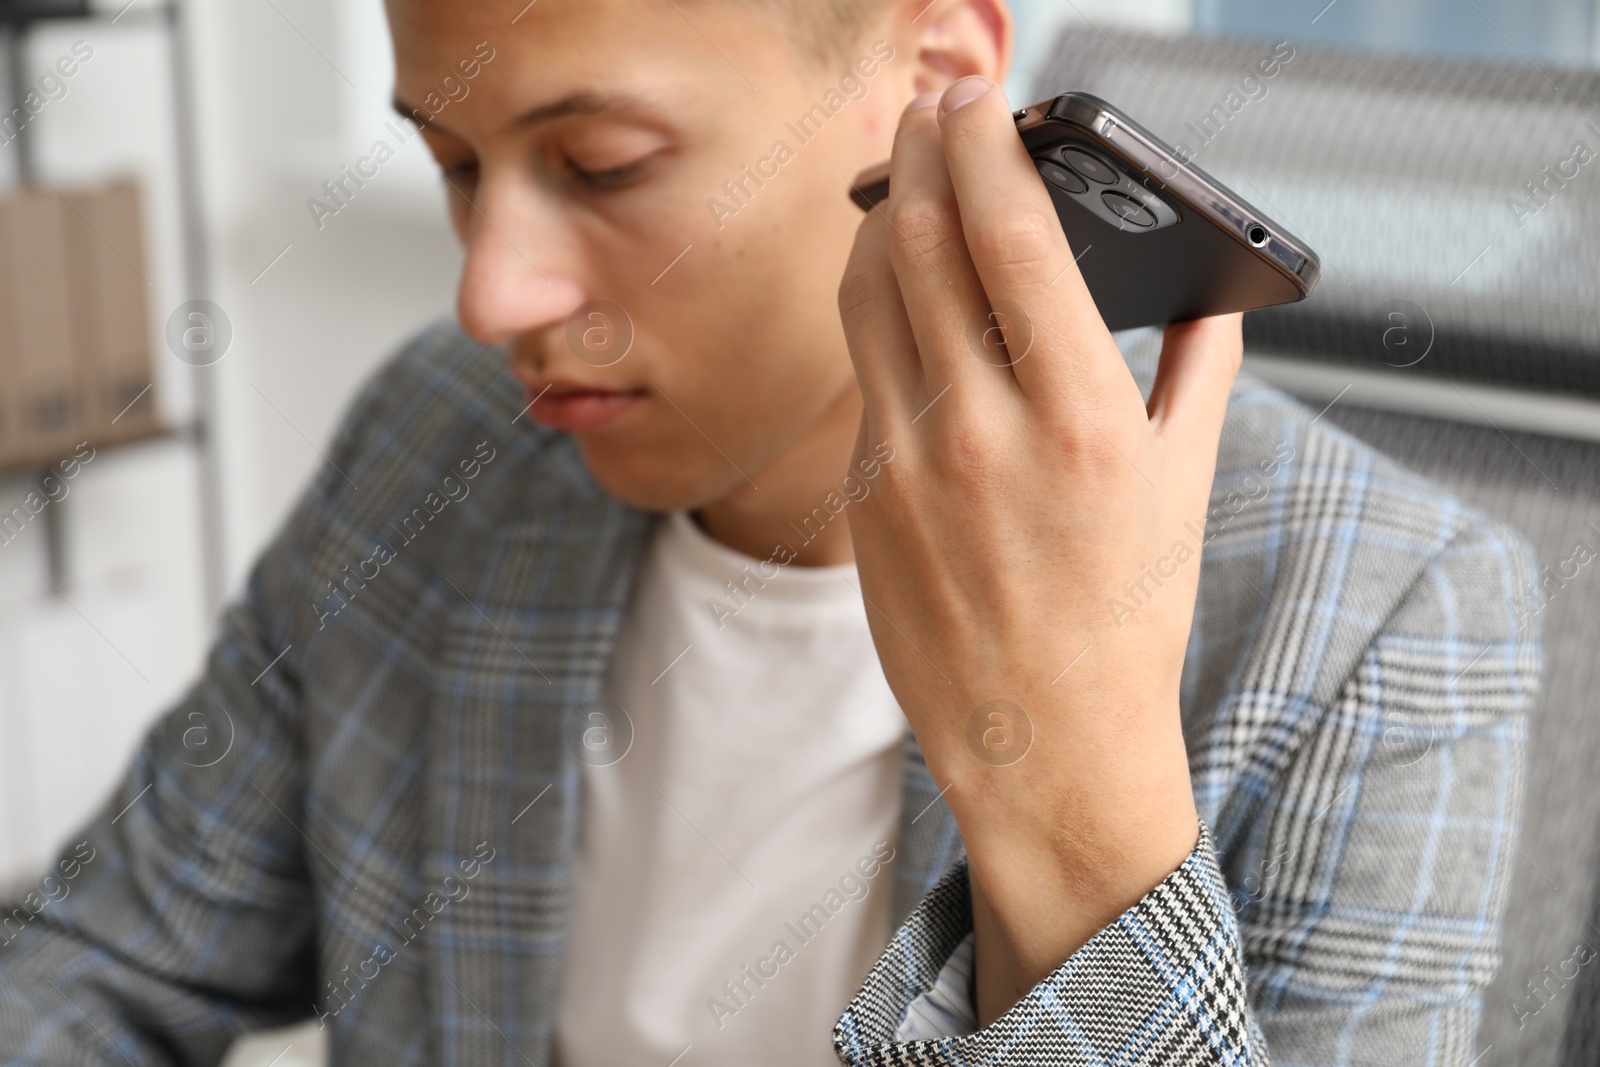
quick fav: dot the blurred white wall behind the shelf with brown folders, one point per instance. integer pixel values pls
(82, 674)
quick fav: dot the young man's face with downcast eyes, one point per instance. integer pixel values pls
(586, 161)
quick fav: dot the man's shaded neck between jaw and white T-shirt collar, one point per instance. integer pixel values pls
(790, 508)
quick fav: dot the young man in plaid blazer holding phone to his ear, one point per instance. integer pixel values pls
(519, 772)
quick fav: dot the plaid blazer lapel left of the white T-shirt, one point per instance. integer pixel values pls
(530, 613)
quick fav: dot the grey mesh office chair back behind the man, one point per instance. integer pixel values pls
(1457, 209)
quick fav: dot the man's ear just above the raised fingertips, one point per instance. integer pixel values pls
(953, 39)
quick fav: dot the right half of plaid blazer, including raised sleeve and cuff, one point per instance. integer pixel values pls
(1356, 711)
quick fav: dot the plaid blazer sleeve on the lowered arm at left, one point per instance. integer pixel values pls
(191, 909)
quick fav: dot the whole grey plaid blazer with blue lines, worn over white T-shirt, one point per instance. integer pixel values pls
(367, 809)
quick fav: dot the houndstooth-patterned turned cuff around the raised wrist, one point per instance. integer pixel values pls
(1162, 985)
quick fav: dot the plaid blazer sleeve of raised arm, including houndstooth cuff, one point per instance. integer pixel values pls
(1370, 877)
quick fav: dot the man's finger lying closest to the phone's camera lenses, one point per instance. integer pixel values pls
(1020, 250)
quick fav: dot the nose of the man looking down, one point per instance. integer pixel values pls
(514, 279)
